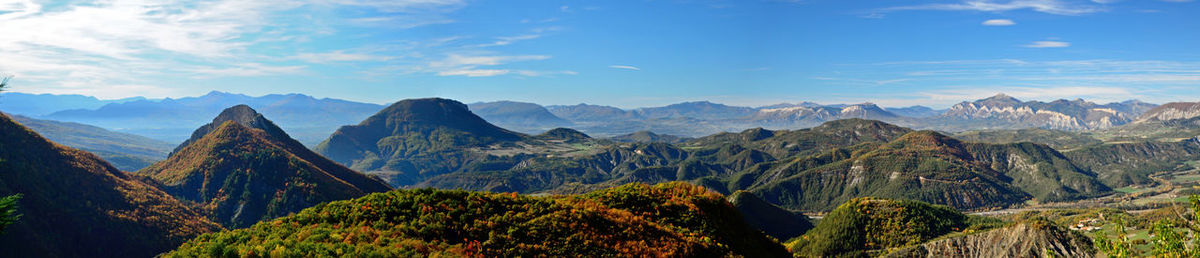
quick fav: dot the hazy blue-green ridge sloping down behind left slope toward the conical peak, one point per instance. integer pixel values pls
(125, 152)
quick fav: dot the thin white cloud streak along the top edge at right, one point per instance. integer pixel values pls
(1045, 7)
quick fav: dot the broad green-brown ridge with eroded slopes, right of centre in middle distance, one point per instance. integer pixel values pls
(929, 167)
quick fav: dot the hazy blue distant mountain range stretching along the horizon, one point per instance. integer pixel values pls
(311, 121)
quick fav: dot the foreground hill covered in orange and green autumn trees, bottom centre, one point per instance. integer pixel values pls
(673, 220)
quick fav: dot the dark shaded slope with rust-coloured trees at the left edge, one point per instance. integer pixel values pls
(77, 206)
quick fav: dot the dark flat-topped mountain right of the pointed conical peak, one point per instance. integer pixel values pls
(415, 140)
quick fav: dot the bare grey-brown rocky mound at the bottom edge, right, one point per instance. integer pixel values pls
(1035, 238)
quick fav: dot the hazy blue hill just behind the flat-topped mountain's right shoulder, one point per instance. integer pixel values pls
(518, 116)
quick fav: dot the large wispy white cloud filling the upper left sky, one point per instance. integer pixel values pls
(127, 43)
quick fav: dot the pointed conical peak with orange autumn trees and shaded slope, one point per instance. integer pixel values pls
(243, 169)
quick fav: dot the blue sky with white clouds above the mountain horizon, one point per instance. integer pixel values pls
(637, 53)
